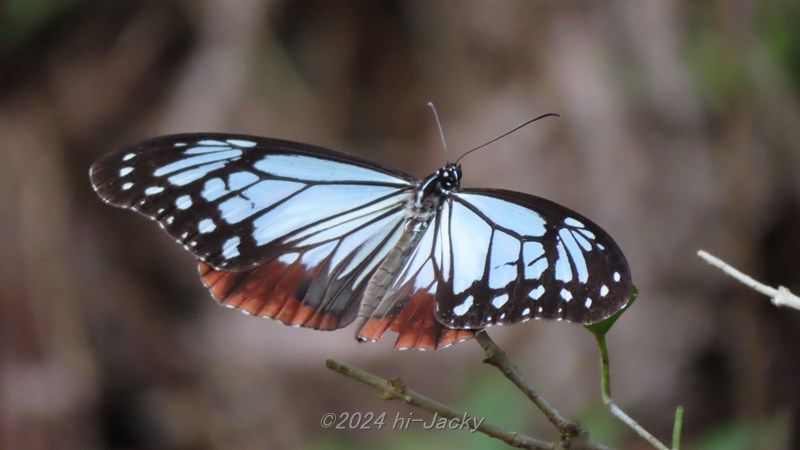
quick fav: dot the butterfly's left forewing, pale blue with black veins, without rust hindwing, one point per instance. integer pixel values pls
(236, 201)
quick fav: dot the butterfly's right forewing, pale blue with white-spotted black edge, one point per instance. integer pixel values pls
(508, 257)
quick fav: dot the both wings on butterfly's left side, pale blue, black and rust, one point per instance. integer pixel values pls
(283, 229)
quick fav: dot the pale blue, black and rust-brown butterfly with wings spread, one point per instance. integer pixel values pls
(318, 238)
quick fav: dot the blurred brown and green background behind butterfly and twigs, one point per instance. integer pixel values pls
(680, 130)
